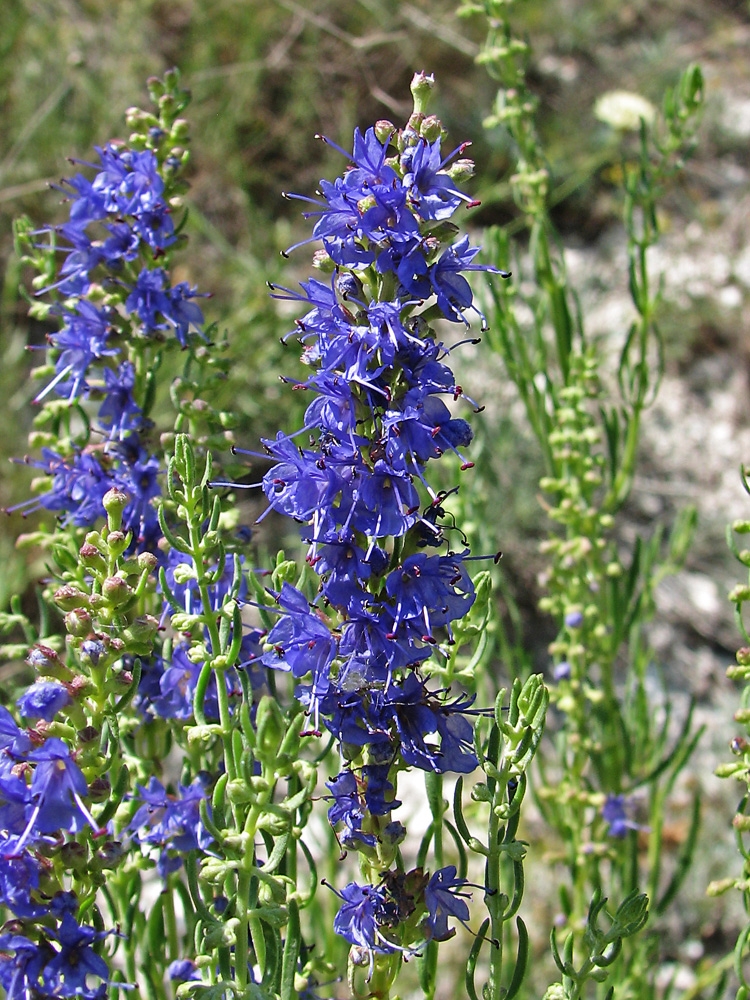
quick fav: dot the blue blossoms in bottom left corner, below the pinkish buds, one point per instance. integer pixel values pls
(43, 795)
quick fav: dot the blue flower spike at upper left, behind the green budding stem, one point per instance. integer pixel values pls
(115, 307)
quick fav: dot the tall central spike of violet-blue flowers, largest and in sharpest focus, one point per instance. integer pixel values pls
(390, 586)
